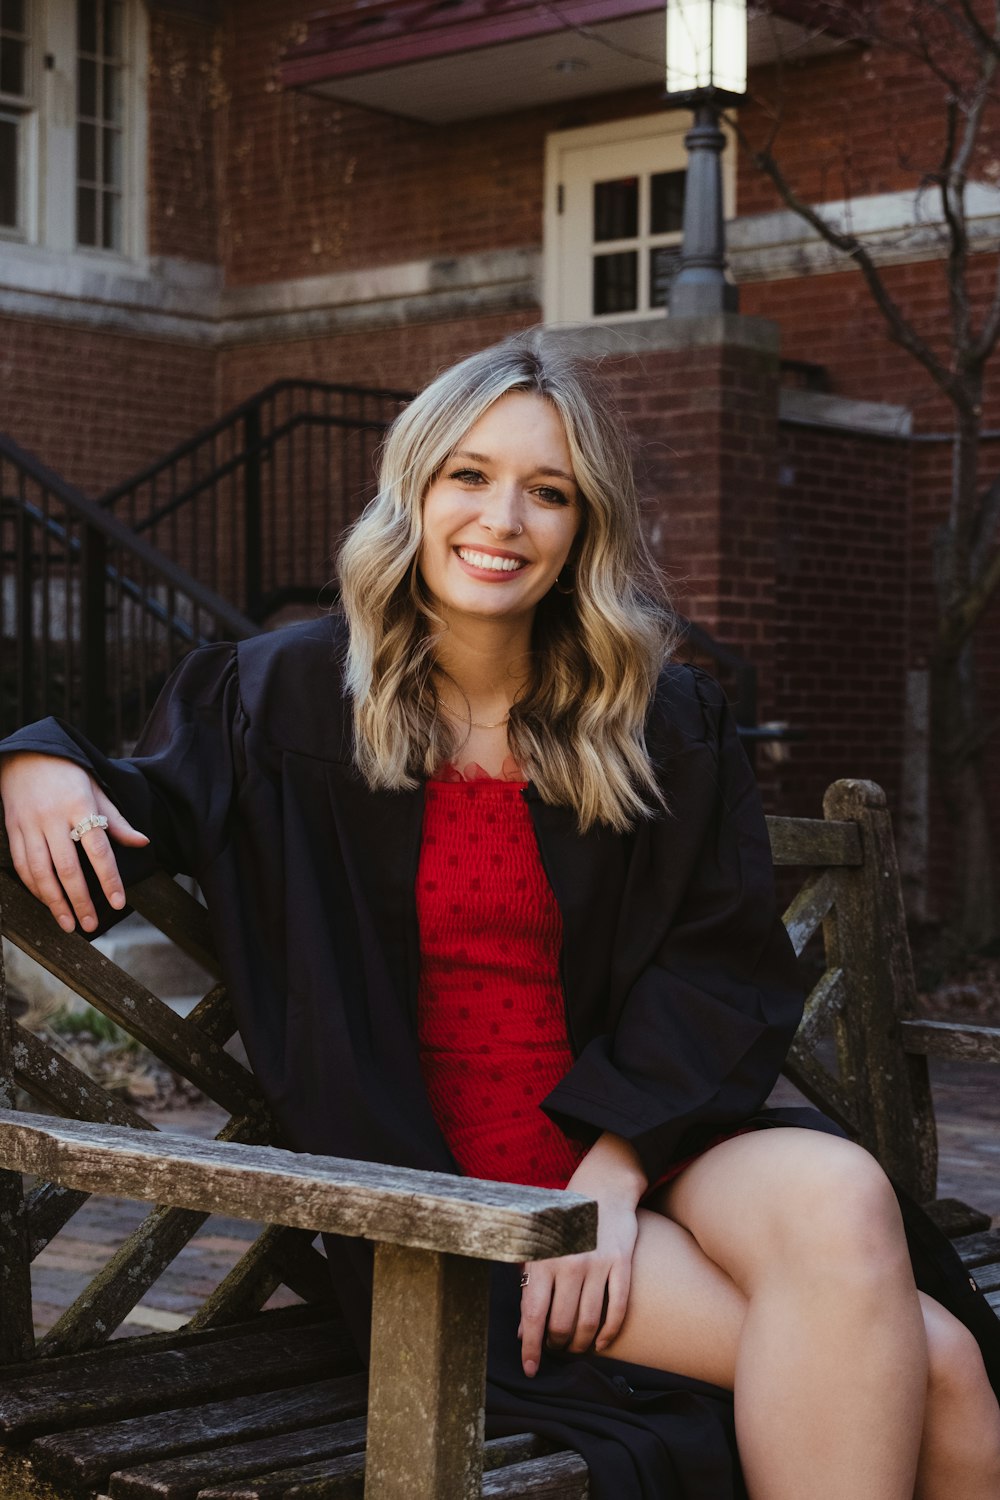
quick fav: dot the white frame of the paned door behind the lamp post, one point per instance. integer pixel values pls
(569, 247)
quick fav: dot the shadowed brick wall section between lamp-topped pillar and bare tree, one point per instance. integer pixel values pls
(842, 610)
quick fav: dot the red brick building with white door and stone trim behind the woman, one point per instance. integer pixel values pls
(203, 199)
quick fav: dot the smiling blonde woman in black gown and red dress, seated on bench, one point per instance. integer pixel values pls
(493, 893)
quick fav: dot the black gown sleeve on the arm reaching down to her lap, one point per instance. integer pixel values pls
(705, 1025)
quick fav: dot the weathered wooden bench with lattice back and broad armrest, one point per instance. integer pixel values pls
(257, 1406)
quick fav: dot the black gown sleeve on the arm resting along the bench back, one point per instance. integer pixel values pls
(181, 782)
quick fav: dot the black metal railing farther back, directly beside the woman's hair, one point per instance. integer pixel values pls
(254, 505)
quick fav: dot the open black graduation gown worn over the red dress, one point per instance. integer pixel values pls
(681, 988)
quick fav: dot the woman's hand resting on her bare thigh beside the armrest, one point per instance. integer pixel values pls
(576, 1303)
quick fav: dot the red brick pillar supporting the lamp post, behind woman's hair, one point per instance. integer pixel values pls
(701, 397)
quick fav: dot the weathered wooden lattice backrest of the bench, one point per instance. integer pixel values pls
(848, 1058)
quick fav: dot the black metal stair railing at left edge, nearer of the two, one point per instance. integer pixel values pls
(92, 617)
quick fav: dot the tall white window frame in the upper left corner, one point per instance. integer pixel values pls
(49, 139)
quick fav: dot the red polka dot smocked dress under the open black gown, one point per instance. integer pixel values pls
(491, 1016)
